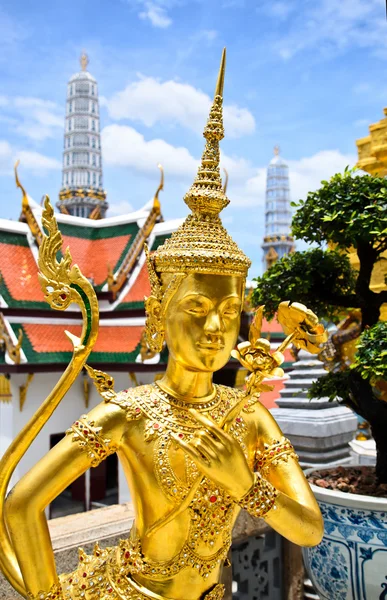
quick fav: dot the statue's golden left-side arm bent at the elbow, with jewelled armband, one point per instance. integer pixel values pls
(25, 504)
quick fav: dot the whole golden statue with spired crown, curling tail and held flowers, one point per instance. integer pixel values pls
(193, 453)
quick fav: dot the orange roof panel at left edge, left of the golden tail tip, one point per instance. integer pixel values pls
(20, 272)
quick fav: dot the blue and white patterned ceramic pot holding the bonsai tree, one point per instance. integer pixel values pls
(351, 561)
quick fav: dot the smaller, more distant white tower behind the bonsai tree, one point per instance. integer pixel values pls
(278, 240)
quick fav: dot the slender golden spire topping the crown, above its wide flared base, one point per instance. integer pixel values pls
(206, 195)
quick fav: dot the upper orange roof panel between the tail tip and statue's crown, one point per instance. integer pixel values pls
(93, 256)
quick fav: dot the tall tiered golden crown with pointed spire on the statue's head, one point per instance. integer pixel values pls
(202, 244)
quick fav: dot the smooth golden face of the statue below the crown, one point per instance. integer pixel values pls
(202, 321)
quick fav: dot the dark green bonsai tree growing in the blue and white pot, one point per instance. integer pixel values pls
(347, 212)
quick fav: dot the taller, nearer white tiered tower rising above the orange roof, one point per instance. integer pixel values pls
(82, 192)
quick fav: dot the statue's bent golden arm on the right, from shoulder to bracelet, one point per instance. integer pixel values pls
(297, 515)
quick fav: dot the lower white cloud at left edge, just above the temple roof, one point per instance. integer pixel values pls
(32, 161)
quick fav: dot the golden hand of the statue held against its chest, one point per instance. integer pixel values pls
(219, 457)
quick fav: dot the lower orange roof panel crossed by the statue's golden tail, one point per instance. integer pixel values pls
(51, 338)
